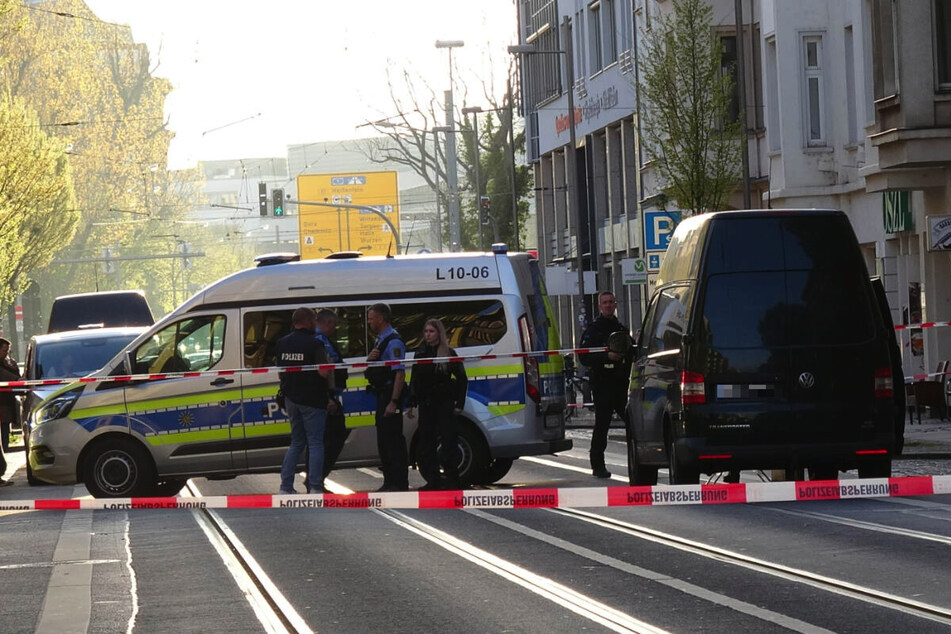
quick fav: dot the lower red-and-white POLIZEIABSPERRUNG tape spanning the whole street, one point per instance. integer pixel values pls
(588, 497)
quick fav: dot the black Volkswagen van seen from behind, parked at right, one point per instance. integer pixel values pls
(762, 348)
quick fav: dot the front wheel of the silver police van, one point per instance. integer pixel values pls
(118, 467)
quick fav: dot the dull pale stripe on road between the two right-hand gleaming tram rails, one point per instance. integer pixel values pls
(672, 582)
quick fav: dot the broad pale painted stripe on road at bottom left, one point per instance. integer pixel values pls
(68, 603)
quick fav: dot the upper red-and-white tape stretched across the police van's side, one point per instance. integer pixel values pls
(8, 386)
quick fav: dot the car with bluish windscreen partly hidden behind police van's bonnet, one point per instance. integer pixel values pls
(70, 354)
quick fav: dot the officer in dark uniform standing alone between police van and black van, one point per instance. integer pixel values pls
(609, 373)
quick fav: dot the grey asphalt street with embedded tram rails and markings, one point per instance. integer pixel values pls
(843, 566)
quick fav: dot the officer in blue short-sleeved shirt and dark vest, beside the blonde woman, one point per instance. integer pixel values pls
(386, 384)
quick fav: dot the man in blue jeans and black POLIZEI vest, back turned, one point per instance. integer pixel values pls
(306, 395)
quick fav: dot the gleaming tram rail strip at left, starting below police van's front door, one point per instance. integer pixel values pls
(240, 563)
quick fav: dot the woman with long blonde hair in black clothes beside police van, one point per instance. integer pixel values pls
(438, 390)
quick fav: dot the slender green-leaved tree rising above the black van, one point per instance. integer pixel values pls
(684, 109)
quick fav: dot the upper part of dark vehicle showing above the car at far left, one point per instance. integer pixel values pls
(106, 309)
